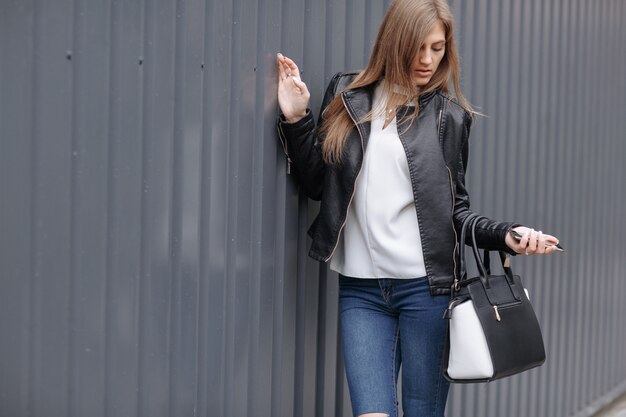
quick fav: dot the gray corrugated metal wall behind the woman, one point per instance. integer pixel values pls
(153, 251)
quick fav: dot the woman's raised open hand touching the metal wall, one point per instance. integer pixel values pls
(293, 95)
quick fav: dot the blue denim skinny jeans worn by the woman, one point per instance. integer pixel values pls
(386, 323)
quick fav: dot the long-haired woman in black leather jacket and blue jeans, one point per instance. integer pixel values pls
(388, 163)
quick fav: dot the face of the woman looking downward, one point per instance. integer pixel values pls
(427, 60)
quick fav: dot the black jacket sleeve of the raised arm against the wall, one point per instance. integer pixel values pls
(303, 146)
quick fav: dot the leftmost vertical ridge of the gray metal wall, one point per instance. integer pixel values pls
(17, 203)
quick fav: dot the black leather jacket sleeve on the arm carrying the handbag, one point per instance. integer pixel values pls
(489, 233)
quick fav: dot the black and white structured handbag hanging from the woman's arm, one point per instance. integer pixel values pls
(493, 331)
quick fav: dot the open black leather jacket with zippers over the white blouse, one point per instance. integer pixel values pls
(436, 146)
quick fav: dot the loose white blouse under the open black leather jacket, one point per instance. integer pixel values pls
(381, 237)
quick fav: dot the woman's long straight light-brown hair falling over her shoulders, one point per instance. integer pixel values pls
(400, 37)
